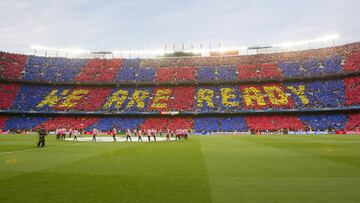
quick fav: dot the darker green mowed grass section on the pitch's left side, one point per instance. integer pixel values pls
(112, 172)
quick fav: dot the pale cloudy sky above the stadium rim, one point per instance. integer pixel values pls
(137, 24)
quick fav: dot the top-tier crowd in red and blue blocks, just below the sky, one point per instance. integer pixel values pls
(303, 64)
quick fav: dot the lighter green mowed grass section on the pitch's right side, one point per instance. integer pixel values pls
(242, 169)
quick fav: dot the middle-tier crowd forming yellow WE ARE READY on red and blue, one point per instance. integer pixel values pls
(209, 98)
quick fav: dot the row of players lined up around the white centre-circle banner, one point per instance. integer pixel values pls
(150, 133)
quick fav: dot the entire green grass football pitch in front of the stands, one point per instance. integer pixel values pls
(277, 168)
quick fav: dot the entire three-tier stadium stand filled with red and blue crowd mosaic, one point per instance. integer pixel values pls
(314, 89)
